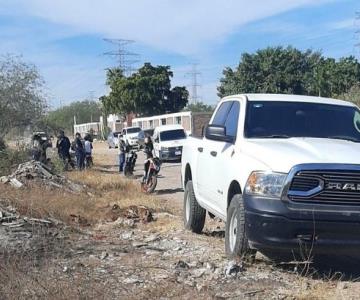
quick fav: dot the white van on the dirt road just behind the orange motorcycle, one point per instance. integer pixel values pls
(168, 142)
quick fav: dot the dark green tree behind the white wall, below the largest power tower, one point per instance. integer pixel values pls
(146, 92)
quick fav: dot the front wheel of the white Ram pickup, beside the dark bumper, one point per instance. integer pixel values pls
(236, 242)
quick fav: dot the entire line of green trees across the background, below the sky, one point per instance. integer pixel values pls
(149, 91)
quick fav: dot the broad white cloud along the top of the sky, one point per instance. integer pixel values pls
(185, 27)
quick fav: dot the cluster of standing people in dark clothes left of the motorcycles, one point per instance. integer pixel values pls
(82, 148)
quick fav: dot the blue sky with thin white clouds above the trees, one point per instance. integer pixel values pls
(65, 38)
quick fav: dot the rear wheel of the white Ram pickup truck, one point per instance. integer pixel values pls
(194, 215)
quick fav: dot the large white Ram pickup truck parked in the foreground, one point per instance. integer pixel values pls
(283, 172)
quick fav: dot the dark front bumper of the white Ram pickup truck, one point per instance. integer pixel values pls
(273, 225)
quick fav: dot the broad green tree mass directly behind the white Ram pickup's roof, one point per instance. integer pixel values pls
(290, 71)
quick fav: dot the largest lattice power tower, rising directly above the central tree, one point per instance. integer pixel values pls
(125, 58)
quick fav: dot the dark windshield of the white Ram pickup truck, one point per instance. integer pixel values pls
(277, 119)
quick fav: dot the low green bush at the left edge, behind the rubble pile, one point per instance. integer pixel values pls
(11, 158)
